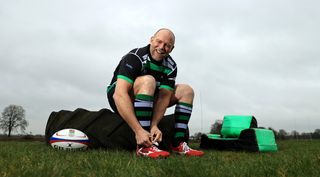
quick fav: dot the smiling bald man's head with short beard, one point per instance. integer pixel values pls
(161, 44)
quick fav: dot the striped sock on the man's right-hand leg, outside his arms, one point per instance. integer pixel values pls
(182, 115)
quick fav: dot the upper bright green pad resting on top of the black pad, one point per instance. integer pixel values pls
(234, 124)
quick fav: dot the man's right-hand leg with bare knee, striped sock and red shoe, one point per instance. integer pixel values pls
(183, 98)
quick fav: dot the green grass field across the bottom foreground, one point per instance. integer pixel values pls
(32, 159)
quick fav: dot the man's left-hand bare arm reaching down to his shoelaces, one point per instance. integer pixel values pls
(125, 108)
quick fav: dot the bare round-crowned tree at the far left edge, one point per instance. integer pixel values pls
(12, 119)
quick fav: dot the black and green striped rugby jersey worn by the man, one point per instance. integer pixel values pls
(138, 62)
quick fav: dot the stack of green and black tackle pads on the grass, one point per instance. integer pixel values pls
(240, 133)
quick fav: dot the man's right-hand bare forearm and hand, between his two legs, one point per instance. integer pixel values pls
(160, 107)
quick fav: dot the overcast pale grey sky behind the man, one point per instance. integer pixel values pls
(242, 57)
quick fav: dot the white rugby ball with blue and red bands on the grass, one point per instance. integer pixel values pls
(69, 139)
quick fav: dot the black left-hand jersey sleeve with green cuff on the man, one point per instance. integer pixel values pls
(129, 68)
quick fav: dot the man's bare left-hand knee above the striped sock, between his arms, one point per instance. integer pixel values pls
(145, 84)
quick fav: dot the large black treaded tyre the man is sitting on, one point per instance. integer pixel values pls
(104, 128)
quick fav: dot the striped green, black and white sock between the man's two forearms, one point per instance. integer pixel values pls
(143, 107)
